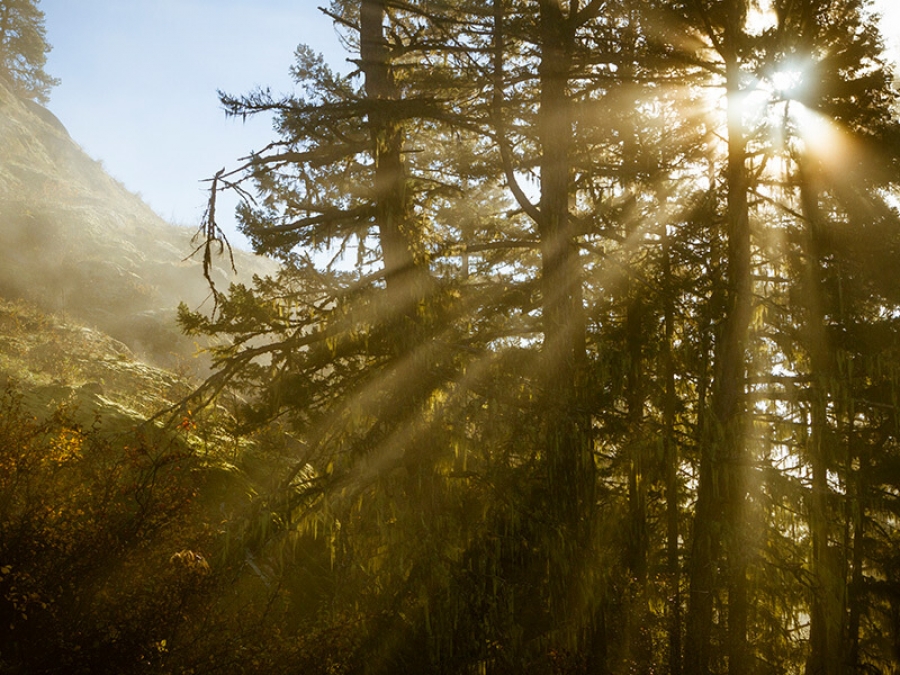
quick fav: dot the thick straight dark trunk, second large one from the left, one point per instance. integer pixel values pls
(570, 472)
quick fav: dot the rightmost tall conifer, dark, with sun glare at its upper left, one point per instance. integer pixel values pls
(843, 86)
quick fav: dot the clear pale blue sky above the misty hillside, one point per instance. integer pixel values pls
(139, 81)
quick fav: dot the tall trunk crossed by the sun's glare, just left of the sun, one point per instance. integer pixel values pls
(721, 513)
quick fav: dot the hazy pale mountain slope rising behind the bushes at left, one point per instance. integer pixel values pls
(74, 240)
